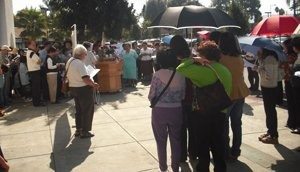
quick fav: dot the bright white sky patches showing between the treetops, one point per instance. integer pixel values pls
(266, 5)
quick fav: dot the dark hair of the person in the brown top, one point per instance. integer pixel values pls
(229, 45)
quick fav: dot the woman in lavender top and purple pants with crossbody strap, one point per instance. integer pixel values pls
(167, 113)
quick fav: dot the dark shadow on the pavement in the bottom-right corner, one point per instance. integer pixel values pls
(291, 160)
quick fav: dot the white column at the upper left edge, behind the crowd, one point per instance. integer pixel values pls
(7, 32)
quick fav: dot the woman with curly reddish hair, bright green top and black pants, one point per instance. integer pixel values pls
(208, 128)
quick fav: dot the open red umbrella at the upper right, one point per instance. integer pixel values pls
(280, 25)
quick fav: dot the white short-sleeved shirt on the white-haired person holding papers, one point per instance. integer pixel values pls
(76, 72)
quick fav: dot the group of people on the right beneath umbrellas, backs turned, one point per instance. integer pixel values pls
(174, 115)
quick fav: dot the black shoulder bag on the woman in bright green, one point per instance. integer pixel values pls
(211, 98)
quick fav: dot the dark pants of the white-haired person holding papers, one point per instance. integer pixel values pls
(84, 105)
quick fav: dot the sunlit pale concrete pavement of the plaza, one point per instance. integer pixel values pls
(41, 139)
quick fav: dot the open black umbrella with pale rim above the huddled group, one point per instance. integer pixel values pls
(193, 17)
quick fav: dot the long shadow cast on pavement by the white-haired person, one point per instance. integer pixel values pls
(68, 152)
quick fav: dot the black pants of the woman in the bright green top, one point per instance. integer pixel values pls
(209, 136)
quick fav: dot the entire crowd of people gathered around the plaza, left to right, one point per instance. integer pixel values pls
(176, 70)
